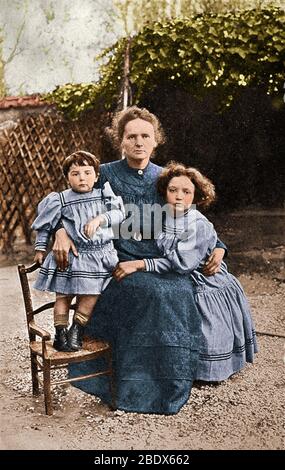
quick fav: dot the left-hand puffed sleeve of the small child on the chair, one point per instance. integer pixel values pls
(48, 216)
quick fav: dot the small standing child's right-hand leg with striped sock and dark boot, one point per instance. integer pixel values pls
(84, 309)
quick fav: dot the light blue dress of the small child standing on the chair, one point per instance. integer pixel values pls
(91, 271)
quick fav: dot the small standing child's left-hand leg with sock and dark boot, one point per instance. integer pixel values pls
(61, 314)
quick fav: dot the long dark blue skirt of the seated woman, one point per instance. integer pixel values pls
(154, 327)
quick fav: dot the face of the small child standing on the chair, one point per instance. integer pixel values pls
(82, 178)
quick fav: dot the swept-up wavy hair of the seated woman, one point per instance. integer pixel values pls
(121, 118)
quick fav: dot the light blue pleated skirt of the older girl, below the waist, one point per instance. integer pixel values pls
(228, 333)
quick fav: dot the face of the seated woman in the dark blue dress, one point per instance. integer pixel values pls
(138, 142)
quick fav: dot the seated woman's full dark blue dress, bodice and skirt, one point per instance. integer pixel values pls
(151, 319)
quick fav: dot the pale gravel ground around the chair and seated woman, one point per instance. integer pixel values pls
(244, 412)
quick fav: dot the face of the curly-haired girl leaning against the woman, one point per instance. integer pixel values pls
(180, 193)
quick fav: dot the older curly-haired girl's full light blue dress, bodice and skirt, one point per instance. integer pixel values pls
(228, 335)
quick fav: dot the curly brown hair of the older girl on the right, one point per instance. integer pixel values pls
(204, 188)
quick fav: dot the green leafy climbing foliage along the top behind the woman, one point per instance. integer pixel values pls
(219, 53)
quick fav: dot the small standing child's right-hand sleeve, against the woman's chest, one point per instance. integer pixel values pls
(114, 208)
